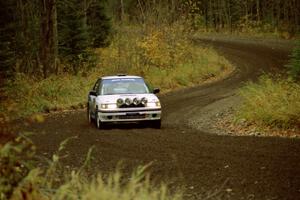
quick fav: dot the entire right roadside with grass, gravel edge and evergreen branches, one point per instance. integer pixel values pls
(270, 106)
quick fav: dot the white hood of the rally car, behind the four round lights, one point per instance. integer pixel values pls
(113, 98)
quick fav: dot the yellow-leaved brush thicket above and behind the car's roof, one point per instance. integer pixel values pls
(140, 50)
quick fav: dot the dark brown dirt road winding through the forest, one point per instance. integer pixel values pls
(210, 166)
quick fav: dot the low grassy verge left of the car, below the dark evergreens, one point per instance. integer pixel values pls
(26, 95)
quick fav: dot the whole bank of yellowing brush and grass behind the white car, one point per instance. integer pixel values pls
(163, 55)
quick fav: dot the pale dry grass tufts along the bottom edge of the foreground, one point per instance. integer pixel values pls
(76, 186)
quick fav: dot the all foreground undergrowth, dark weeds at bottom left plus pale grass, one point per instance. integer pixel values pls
(21, 179)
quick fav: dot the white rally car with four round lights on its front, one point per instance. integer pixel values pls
(123, 98)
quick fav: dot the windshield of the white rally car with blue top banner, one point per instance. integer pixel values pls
(123, 86)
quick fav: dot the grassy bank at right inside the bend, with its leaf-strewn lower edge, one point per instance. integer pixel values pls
(270, 107)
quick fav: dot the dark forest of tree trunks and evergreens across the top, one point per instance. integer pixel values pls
(47, 37)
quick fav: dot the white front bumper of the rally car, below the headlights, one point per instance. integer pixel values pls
(129, 115)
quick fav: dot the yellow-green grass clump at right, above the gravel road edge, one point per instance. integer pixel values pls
(271, 102)
